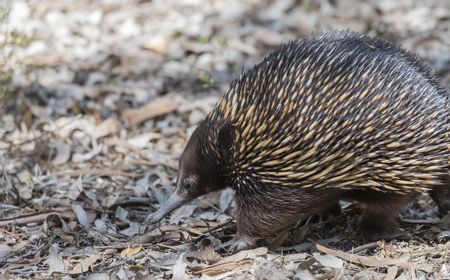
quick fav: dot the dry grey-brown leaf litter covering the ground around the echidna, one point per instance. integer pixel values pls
(106, 94)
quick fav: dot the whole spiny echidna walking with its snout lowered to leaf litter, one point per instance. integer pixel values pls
(334, 115)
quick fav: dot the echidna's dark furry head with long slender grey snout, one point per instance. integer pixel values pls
(199, 172)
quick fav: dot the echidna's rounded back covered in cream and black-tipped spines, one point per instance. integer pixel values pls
(338, 109)
